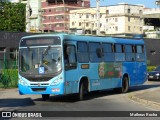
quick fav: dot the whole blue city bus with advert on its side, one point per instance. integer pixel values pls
(60, 64)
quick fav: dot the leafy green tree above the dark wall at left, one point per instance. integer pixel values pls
(12, 16)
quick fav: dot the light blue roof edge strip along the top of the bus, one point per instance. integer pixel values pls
(92, 38)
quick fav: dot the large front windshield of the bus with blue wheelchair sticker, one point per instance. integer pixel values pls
(43, 60)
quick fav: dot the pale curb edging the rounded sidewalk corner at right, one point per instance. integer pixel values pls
(152, 104)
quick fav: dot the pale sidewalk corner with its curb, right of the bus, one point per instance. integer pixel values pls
(149, 97)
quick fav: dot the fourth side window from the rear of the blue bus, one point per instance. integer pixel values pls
(108, 52)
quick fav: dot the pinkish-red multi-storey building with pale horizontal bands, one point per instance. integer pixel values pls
(56, 13)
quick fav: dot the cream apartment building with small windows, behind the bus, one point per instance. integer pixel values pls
(121, 19)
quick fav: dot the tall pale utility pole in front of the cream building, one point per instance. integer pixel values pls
(98, 17)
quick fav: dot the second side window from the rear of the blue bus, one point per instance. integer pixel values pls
(130, 55)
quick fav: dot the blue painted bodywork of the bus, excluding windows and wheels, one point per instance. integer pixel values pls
(100, 75)
